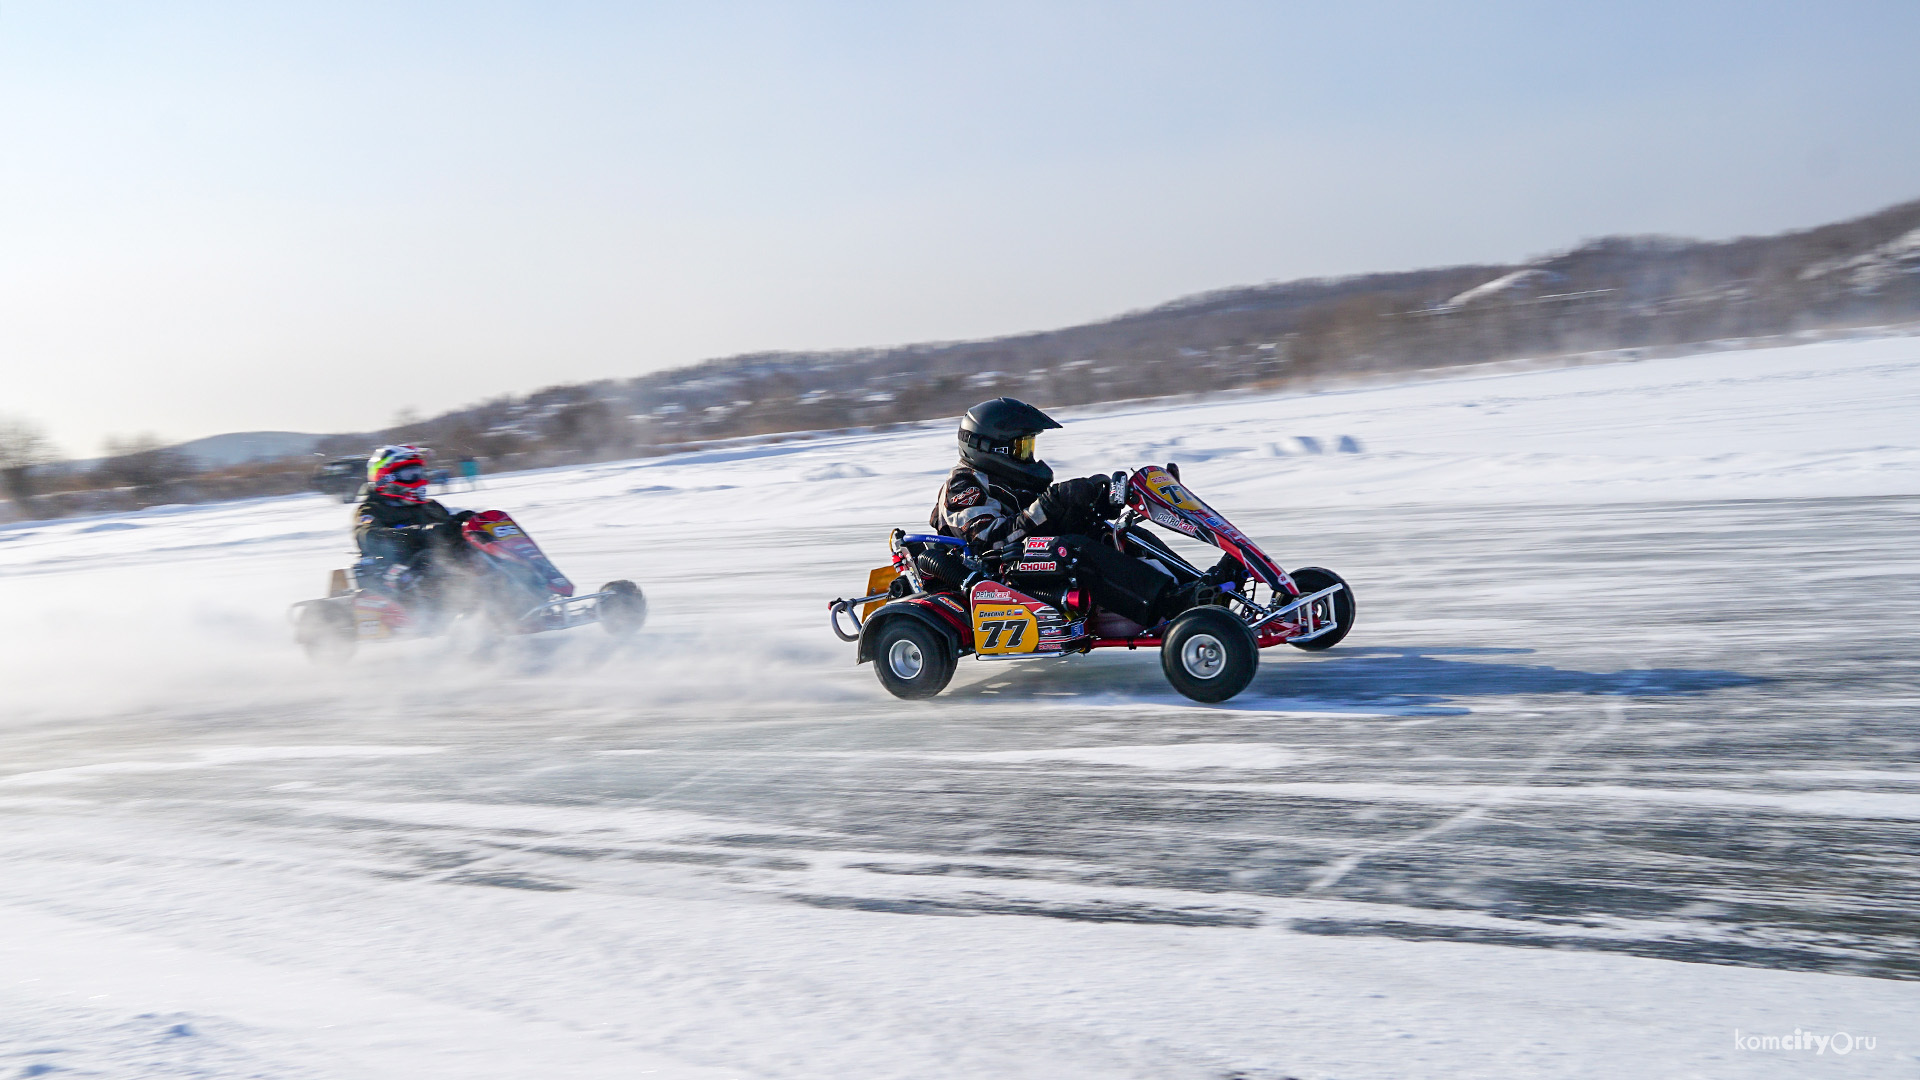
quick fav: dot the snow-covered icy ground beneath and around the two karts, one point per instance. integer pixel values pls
(1620, 768)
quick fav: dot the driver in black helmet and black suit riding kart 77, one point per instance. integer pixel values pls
(1003, 493)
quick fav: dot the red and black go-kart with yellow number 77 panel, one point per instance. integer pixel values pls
(938, 602)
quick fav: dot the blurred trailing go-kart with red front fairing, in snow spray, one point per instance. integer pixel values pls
(492, 579)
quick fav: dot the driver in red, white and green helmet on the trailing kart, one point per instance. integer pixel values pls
(398, 524)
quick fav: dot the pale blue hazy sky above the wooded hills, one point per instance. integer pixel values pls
(312, 216)
